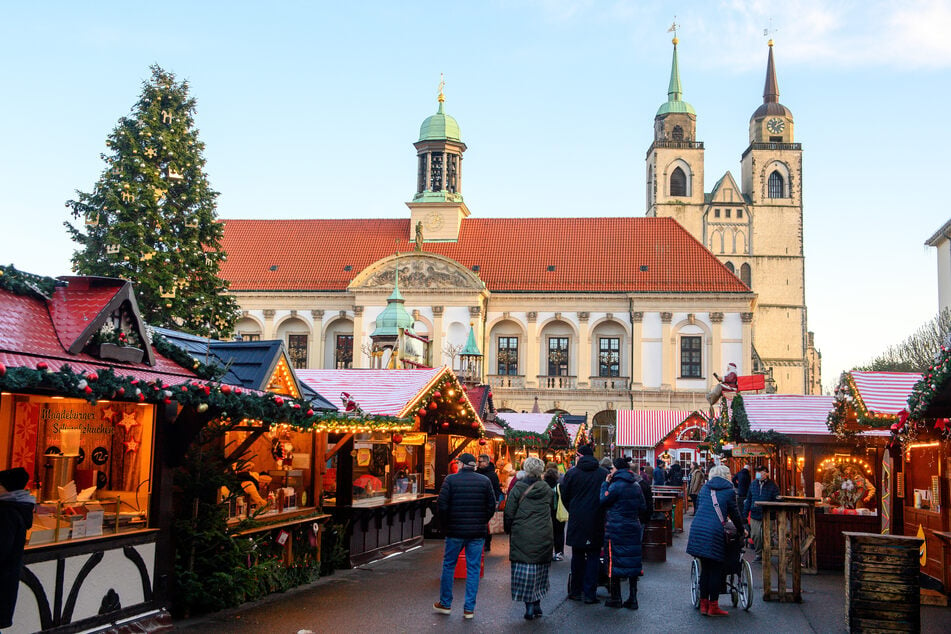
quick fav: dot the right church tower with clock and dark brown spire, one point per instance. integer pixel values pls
(772, 185)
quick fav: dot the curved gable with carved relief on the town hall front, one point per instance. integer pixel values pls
(418, 272)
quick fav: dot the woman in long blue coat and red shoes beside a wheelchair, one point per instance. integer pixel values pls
(707, 540)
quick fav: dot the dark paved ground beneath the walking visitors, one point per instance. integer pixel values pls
(396, 595)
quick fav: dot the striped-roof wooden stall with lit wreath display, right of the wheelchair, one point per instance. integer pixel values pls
(839, 478)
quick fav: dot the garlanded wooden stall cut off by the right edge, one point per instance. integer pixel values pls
(924, 438)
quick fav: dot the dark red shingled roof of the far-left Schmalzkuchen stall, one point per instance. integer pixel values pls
(27, 337)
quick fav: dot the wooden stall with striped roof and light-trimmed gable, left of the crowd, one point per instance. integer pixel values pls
(381, 480)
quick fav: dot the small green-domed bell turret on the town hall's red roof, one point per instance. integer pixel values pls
(438, 202)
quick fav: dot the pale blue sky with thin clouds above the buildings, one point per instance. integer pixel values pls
(310, 109)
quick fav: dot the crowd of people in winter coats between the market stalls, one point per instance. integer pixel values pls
(607, 504)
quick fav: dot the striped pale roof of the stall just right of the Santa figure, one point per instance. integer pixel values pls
(793, 414)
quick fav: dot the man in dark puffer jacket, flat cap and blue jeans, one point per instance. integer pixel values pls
(466, 503)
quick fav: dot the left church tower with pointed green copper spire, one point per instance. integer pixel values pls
(675, 159)
